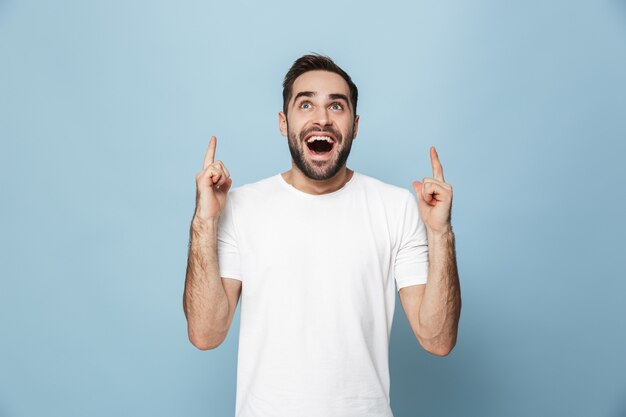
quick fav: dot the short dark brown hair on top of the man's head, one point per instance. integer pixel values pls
(315, 62)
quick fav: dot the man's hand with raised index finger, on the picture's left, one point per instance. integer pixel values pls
(212, 185)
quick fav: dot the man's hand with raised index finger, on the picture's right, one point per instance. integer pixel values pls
(434, 198)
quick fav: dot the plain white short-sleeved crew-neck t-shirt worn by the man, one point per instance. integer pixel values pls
(319, 275)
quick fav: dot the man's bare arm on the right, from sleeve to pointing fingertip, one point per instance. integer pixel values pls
(433, 309)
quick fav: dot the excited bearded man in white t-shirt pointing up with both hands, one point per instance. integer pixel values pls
(316, 254)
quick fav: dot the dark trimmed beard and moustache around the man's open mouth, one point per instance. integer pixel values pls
(319, 170)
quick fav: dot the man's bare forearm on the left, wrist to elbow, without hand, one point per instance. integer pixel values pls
(204, 300)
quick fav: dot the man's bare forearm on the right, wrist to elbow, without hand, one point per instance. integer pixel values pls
(440, 308)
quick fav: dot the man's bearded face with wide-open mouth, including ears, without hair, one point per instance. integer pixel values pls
(320, 124)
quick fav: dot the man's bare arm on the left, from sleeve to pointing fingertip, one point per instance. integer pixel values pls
(209, 301)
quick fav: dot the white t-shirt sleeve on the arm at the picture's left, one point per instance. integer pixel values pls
(227, 249)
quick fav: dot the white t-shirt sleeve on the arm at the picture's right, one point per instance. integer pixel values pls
(411, 263)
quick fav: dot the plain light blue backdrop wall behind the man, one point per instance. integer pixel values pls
(105, 112)
